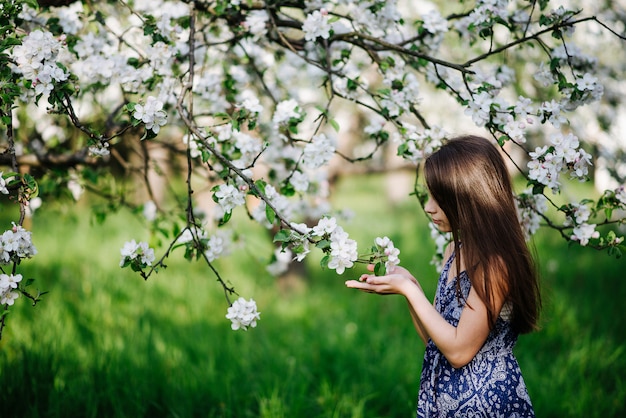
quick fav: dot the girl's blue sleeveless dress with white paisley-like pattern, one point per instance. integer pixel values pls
(491, 385)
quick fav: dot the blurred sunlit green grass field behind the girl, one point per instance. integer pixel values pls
(104, 343)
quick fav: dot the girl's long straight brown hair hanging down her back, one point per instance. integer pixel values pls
(469, 180)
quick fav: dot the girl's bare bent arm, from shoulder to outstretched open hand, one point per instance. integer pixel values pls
(458, 344)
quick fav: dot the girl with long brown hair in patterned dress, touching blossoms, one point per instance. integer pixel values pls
(487, 294)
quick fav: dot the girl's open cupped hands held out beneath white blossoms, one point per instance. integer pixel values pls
(396, 281)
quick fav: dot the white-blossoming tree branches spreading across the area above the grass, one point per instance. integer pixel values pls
(262, 105)
